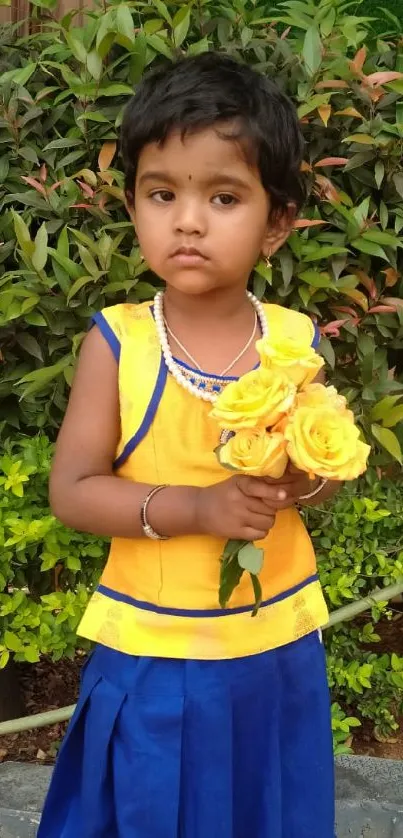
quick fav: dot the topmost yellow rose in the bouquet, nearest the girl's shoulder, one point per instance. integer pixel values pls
(290, 355)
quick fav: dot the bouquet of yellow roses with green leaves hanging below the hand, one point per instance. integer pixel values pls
(277, 415)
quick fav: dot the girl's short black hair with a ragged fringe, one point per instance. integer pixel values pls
(198, 92)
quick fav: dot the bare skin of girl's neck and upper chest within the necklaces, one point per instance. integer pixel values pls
(213, 328)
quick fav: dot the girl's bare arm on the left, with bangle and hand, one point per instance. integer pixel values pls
(87, 495)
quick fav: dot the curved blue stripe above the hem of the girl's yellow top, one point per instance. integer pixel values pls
(197, 612)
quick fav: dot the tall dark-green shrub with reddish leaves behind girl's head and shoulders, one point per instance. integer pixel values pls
(68, 247)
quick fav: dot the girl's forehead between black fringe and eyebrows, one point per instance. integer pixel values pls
(199, 154)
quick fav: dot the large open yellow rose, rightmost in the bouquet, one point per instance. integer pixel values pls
(325, 441)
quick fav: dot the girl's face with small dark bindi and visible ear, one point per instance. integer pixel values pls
(201, 213)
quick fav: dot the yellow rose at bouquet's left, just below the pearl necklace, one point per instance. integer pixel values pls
(258, 399)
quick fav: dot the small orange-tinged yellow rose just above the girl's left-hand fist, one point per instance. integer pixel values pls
(255, 452)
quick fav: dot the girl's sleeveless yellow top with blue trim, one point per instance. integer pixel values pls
(160, 598)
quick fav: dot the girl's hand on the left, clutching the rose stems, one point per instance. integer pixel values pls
(238, 508)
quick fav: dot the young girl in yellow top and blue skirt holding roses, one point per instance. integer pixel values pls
(193, 721)
